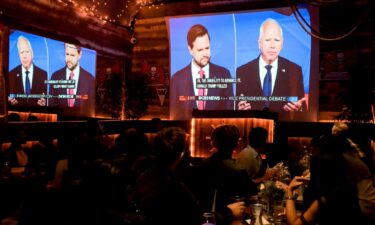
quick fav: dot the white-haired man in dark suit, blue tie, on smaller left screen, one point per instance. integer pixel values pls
(26, 81)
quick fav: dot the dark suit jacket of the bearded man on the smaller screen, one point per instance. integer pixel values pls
(86, 87)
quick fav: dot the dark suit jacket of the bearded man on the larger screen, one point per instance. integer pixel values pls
(182, 85)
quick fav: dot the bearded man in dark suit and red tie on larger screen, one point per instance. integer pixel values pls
(183, 89)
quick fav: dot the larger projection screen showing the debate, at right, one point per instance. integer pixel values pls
(225, 69)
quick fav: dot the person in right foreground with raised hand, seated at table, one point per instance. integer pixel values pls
(336, 195)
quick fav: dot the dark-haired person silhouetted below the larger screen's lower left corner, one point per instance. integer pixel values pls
(158, 194)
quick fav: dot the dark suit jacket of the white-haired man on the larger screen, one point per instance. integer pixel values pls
(289, 82)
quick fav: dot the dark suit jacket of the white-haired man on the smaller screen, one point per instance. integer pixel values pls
(38, 85)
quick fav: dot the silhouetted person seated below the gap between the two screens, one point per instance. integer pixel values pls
(106, 182)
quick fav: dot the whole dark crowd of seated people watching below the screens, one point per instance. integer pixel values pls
(86, 178)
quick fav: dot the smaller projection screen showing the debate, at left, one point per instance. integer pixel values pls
(46, 74)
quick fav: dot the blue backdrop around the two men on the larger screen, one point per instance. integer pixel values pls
(234, 42)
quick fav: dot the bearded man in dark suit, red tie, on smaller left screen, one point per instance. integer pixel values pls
(81, 91)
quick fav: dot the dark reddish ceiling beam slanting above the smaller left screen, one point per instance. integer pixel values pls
(63, 23)
